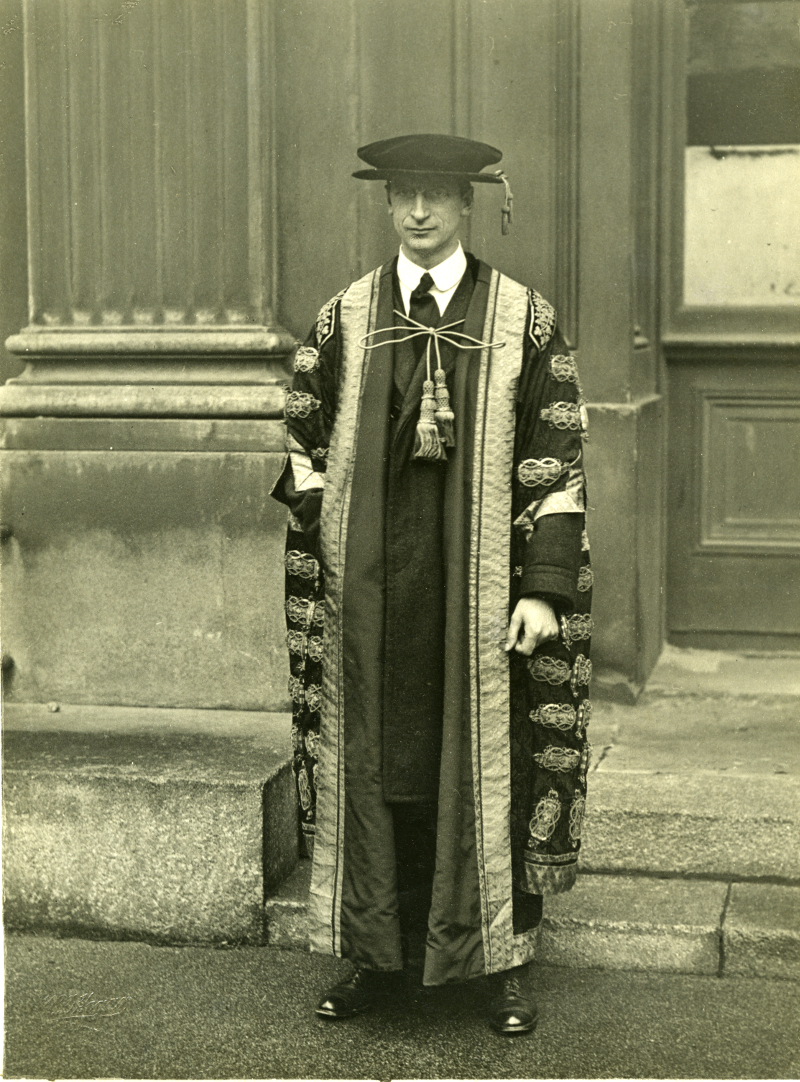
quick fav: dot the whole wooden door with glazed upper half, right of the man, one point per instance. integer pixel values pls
(733, 326)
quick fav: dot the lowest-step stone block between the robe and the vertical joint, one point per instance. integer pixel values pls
(635, 923)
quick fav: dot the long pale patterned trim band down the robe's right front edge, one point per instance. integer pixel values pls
(490, 576)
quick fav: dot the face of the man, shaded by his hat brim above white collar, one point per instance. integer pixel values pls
(428, 214)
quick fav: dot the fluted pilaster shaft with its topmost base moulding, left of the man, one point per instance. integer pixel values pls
(149, 135)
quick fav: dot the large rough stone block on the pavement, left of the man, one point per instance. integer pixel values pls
(163, 825)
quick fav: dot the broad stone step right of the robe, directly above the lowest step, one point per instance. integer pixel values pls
(696, 787)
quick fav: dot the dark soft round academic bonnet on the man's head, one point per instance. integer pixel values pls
(429, 156)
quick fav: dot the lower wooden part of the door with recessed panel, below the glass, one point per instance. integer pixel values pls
(735, 505)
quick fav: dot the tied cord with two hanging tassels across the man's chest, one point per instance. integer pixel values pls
(436, 429)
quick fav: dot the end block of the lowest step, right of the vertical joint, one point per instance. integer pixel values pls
(763, 932)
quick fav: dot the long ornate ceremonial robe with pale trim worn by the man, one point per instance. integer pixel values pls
(401, 578)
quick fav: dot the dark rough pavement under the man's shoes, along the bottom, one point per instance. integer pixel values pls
(77, 1009)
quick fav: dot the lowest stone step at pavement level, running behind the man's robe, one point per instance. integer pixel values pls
(632, 922)
